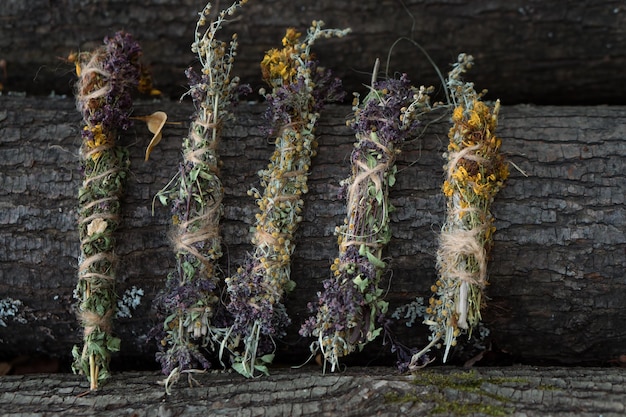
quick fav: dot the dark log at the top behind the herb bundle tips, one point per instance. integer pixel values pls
(544, 52)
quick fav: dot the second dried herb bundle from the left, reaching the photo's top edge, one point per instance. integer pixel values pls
(190, 301)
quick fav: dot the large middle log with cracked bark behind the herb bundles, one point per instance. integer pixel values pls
(557, 275)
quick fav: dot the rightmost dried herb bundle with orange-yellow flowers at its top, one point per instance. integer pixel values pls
(475, 172)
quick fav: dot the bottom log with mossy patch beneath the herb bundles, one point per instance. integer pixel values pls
(514, 391)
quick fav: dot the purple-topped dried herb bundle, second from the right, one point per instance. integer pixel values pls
(351, 305)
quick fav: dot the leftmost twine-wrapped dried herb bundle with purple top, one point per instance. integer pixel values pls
(107, 76)
